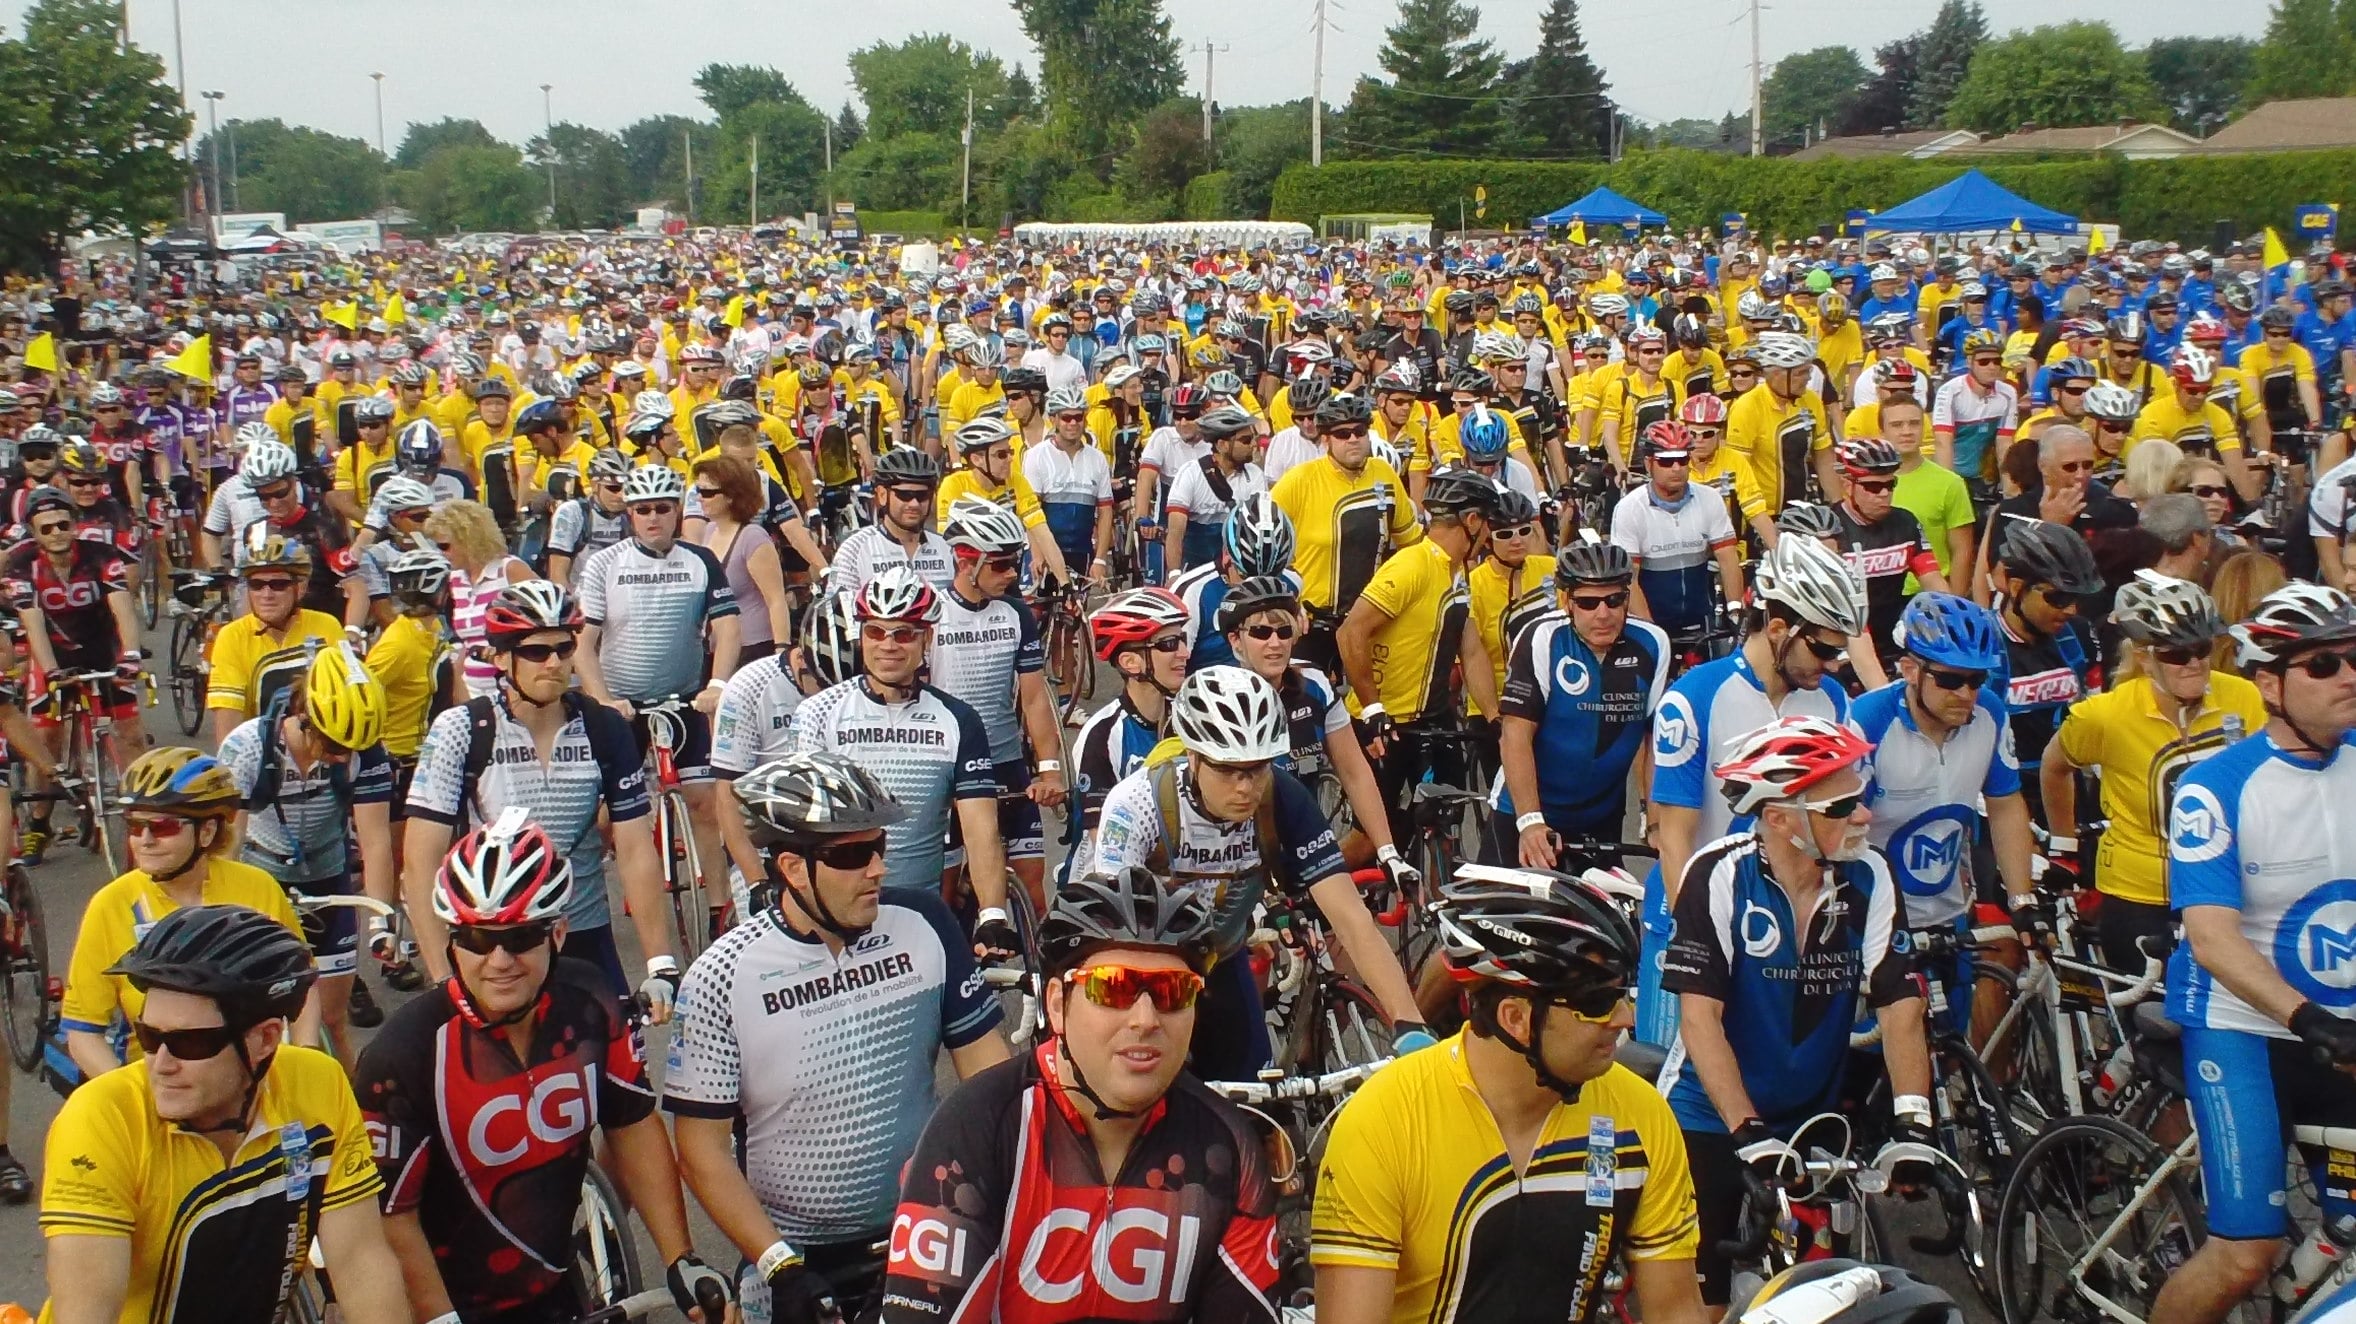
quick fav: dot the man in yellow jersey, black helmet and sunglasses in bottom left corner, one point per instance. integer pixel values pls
(187, 1189)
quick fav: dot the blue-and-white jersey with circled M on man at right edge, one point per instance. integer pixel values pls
(2261, 830)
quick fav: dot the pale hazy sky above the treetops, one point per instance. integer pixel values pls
(614, 62)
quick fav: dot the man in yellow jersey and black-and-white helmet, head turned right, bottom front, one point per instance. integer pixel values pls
(1504, 1174)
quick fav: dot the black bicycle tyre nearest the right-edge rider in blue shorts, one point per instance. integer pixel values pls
(2058, 1184)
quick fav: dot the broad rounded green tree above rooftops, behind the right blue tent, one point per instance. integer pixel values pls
(2053, 77)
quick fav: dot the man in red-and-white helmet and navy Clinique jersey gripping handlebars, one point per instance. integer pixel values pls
(1785, 934)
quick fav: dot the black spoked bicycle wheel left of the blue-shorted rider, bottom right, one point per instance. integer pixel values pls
(2065, 1198)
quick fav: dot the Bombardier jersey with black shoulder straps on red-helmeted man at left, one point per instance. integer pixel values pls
(593, 764)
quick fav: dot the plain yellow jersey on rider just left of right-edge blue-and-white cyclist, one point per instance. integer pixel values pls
(2140, 757)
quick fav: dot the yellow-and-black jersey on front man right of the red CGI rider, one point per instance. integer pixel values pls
(1417, 1181)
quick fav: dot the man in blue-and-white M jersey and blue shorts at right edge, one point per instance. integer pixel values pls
(2261, 873)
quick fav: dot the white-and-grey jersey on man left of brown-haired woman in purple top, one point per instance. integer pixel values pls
(651, 614)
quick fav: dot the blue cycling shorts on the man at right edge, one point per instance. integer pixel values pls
(2249, 1092)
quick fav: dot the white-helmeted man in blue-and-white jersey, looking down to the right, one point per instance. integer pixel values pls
(1808, 607)
